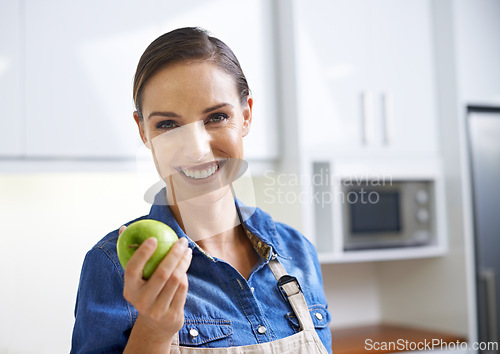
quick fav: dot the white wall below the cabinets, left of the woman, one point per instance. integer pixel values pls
(49, 222)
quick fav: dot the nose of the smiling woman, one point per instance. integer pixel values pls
(196, 142)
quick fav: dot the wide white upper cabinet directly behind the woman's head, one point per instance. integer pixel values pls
(81, 57)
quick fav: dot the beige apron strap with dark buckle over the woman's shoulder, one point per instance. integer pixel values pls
(294, 293)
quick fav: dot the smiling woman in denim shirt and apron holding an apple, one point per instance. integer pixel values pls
(193, 109)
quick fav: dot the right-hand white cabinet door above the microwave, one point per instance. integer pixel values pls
(403, 76)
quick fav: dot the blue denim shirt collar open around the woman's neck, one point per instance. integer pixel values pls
(254, 220)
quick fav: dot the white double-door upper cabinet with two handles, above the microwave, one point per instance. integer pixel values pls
(365, 77)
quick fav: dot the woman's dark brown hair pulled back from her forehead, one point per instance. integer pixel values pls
(186, 44)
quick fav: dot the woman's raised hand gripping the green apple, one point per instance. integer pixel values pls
(160, 299)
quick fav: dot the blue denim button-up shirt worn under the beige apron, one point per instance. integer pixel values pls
(221, 305)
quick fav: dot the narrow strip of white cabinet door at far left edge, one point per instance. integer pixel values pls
(11, 118)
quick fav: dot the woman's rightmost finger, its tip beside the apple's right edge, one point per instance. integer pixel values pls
(164, 270)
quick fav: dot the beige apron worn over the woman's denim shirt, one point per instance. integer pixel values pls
(304, 342)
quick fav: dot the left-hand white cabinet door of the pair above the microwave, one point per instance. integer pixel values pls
(332, 52)
